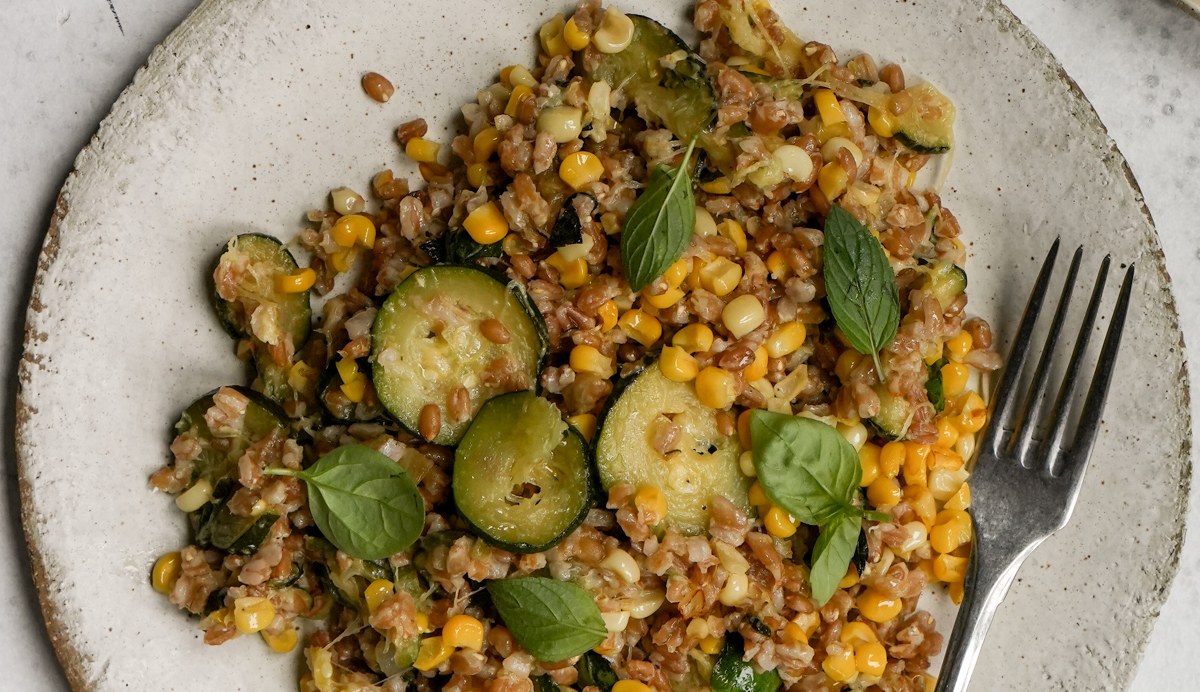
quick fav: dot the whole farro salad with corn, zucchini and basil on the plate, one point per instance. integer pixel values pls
(662, 380)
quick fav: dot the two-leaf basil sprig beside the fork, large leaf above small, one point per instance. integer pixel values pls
(812, 472)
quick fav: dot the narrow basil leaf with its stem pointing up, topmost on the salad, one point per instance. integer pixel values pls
(659, 225)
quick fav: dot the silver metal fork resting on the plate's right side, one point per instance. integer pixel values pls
(1024, 489)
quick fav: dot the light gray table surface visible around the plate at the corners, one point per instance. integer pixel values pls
(64, 63)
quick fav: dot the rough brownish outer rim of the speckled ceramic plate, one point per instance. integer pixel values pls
(74, 663)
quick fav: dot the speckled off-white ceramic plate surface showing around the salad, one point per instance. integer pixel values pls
(251, 112)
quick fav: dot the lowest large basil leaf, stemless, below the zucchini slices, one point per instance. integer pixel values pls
(554, 621)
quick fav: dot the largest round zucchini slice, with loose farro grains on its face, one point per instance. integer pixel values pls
(428, 342)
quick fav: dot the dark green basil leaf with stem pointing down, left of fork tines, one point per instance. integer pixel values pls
(861, 286)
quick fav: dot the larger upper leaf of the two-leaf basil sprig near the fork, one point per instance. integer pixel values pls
(805, 466)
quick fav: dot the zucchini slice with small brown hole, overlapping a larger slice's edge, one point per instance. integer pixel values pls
(523, 478)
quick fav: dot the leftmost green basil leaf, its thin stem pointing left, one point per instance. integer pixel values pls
(363, 502)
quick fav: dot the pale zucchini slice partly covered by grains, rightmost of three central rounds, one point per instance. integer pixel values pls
(705, 466)
